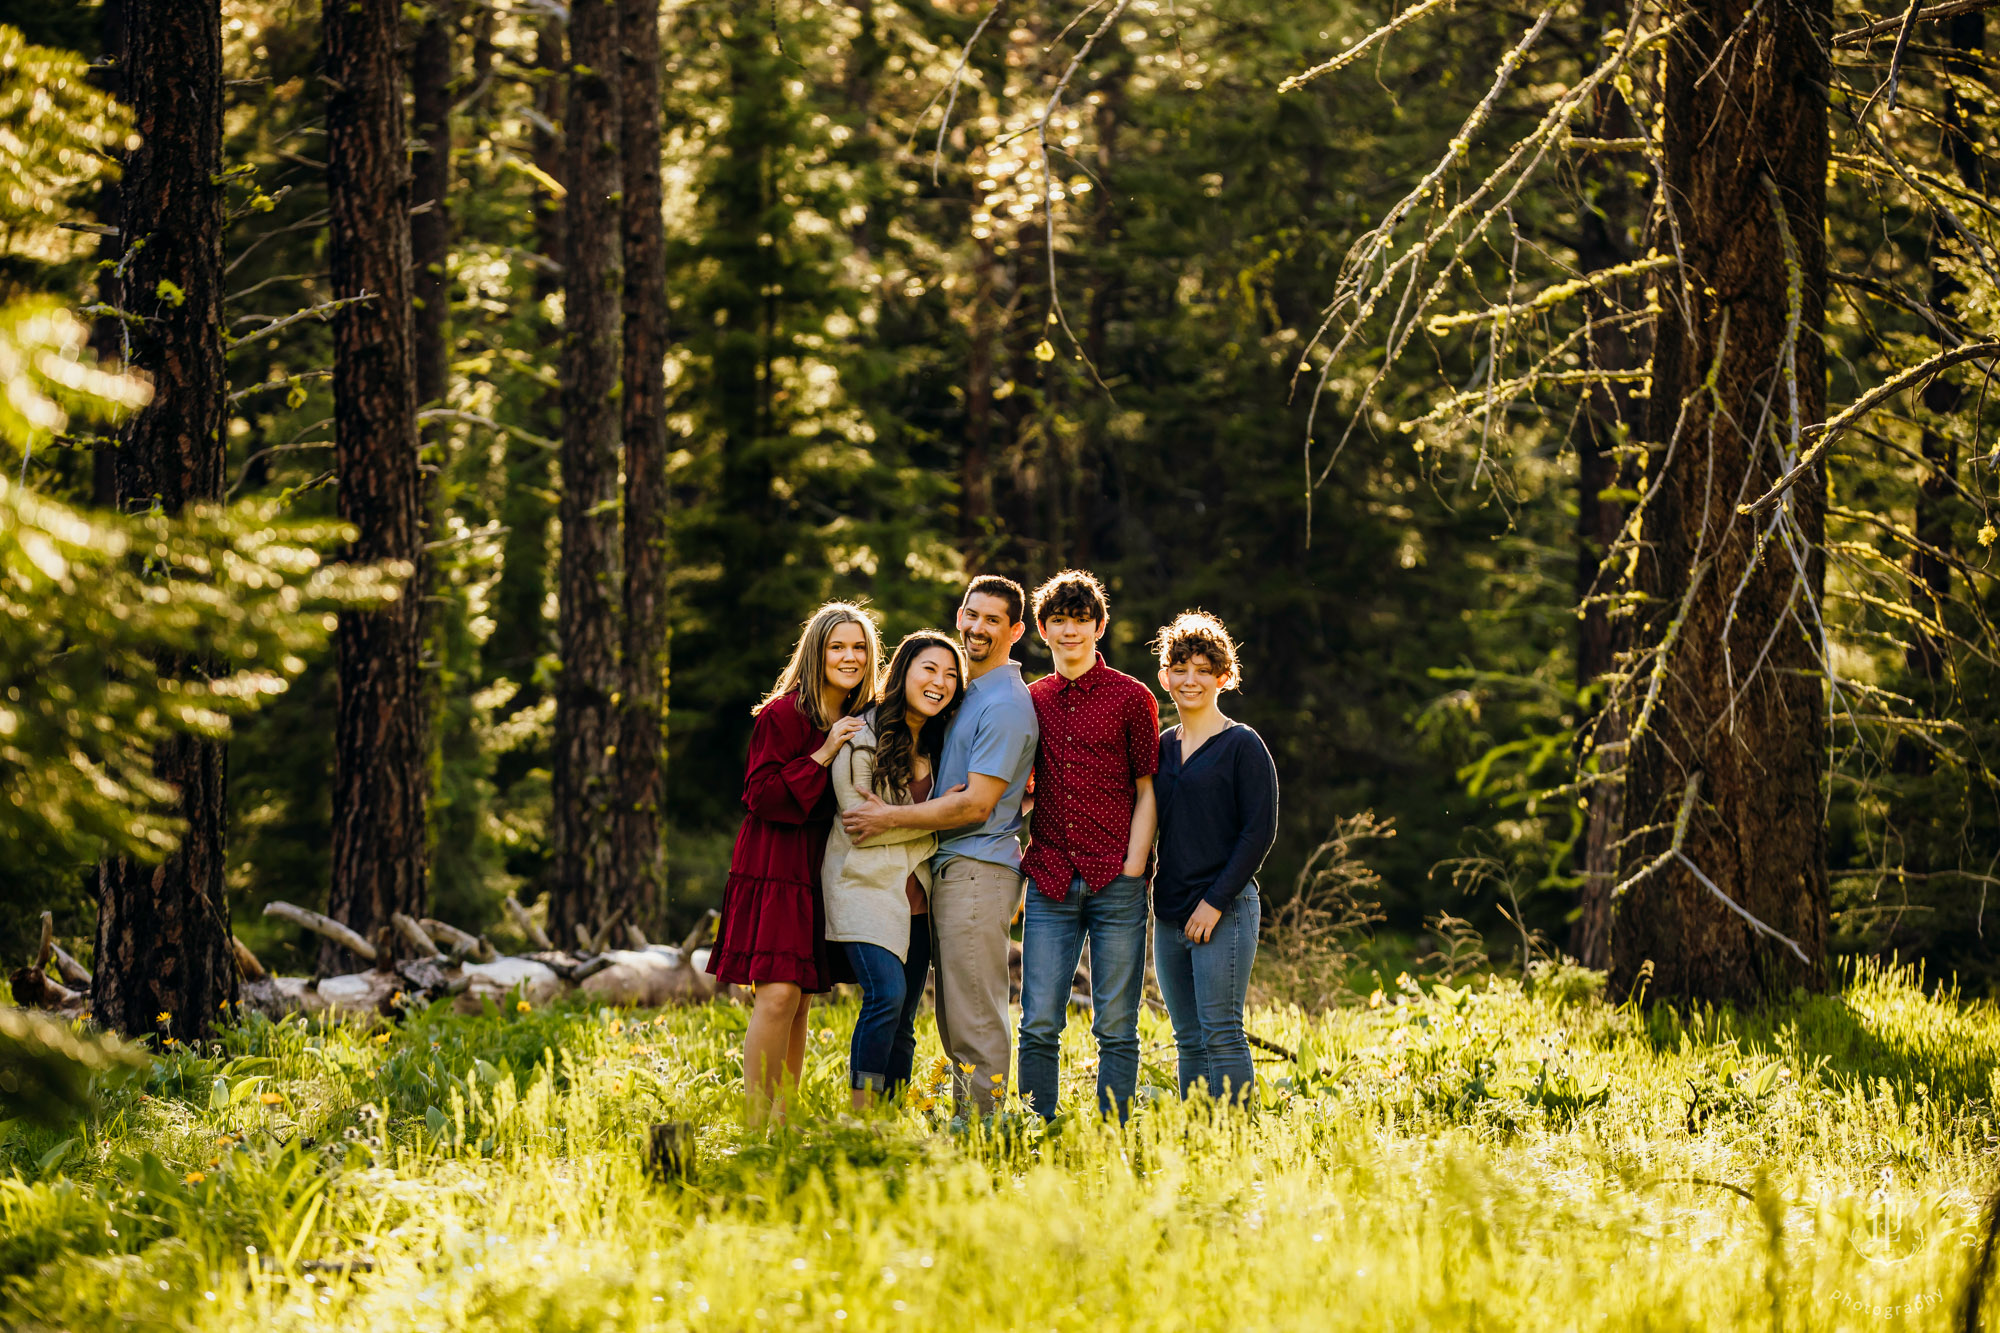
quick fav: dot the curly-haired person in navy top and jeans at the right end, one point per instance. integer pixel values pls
(1217, 796)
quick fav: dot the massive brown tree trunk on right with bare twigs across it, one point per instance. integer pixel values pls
(1729, 688)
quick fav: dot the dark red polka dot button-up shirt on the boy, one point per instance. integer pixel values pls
(1101, 734)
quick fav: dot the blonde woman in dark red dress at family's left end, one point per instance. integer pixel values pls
(773, 918)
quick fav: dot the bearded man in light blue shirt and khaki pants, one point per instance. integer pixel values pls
(983, 776)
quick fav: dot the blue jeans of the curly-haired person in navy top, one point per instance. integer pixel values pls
(1205, 990)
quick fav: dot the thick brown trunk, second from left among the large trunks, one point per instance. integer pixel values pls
(381, 730)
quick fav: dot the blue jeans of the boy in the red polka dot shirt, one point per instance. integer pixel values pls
(1051, 942)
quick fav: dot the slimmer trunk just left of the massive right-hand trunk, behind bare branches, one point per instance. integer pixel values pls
(1613, 233)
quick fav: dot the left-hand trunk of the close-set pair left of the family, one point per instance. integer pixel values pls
(587, 507)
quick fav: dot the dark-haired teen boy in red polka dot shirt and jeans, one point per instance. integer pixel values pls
(1087, 848)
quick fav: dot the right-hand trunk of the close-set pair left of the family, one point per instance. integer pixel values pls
(639, 874)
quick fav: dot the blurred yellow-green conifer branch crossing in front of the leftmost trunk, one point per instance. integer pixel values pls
(91, 605)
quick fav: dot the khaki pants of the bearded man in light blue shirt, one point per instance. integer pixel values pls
(971, 912)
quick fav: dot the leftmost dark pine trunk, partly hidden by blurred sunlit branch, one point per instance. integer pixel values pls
(165, 930)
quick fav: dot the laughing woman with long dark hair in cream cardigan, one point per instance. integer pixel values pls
(879, 890)
